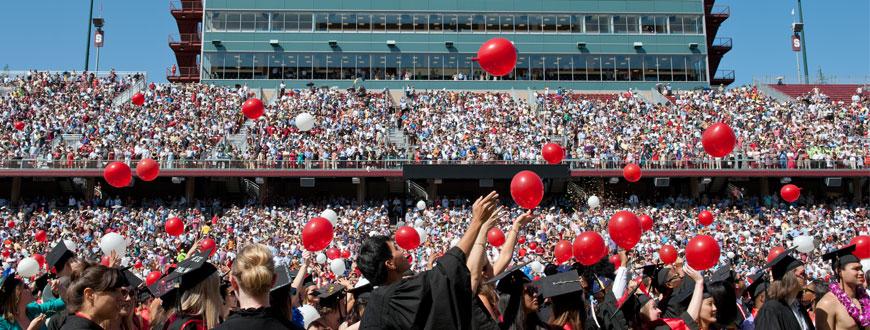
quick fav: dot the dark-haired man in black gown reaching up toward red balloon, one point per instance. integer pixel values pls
(439, 298)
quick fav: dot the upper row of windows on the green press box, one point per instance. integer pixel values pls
(224, 21)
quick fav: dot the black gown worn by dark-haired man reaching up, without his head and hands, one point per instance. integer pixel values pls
(439, 298)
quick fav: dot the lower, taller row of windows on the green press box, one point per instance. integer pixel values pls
(569, 67)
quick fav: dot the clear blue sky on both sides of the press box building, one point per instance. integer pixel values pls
(45, 34)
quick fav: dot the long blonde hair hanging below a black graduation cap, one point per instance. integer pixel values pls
(204, 300)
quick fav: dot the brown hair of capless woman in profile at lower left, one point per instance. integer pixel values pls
(97, 277)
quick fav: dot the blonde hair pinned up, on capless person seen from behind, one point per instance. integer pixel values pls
(254, 270)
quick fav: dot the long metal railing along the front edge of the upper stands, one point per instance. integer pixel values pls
(575, 164)
